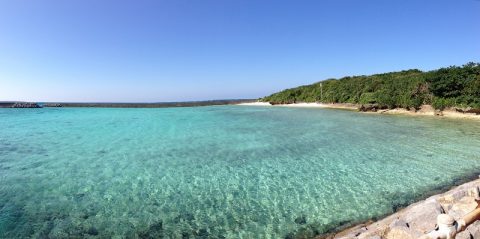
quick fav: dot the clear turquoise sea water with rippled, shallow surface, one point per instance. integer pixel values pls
(218, 172)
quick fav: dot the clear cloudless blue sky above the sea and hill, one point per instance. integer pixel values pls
(150, 51)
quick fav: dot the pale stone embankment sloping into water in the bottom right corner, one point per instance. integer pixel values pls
(420, 218)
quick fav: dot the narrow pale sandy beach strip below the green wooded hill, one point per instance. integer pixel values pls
(425, 110)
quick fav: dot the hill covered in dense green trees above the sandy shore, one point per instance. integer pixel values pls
(446, 87)
